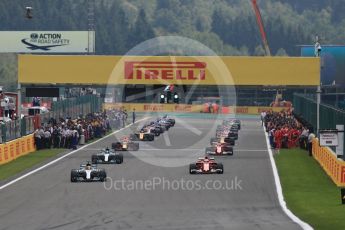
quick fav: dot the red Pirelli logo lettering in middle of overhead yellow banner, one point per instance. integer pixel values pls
(193, 71)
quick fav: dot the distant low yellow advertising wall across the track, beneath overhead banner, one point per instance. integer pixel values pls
(185, 108)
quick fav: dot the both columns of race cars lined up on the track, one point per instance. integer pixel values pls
(222, 144)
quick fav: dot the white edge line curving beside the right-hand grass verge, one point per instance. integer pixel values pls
(282, 202)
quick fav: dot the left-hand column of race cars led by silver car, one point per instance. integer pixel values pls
(89, 172)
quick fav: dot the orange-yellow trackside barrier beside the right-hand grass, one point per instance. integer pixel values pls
(334, 167)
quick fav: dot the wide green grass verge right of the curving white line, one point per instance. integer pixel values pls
(309, 192)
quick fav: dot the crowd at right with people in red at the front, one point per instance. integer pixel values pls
(285, 131)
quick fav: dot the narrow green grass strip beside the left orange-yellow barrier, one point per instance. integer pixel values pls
(22, 163)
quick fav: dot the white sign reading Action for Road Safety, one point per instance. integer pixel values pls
(45, 41)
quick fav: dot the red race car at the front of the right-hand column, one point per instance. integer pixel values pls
(206, 165)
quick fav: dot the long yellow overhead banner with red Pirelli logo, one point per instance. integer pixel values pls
(162, 70)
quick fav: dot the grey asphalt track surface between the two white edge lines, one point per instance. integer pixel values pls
(48, 200)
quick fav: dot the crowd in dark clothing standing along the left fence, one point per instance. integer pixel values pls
(68, 133)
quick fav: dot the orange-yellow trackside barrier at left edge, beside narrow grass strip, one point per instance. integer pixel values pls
(13, 149)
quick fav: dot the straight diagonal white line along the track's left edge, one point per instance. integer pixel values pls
(64, 156)
